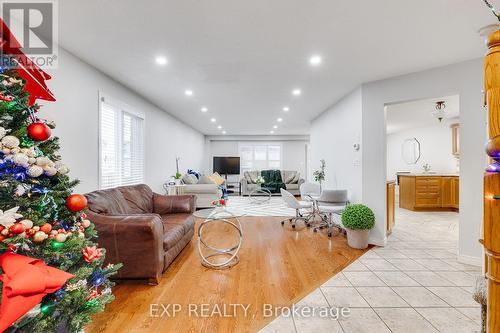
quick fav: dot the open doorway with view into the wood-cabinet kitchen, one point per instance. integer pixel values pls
(423, 159)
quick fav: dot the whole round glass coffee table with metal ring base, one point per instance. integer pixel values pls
(209, 253)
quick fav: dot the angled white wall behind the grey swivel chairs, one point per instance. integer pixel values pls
(333, 135)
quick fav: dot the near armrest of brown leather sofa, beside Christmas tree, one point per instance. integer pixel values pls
(134, 240)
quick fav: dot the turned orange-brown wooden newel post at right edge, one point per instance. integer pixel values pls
(491, 227)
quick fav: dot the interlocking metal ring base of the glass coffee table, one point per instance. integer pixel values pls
(230, 254)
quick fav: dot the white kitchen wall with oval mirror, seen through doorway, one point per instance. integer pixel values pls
(435, 150)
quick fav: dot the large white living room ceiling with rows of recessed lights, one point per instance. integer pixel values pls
(243, 58)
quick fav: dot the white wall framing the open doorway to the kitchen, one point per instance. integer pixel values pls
(464, 79)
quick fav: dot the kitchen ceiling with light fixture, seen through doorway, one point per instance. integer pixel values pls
(416, 114)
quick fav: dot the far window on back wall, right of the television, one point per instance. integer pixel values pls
(259, 156)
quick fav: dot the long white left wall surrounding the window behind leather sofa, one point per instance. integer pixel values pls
(76, 86)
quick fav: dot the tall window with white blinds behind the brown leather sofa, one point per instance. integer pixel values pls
(121, 145)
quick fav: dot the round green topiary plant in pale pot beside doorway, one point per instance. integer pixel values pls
(358, 220)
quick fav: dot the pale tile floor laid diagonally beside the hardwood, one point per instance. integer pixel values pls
(414, 284)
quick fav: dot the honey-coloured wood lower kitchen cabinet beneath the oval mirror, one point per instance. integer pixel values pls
(422, 192)
